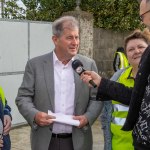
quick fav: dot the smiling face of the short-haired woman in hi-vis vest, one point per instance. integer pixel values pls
(134, 51)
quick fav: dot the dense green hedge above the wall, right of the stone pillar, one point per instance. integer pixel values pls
(117, 15)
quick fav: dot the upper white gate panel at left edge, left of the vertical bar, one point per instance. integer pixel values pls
(13, 46)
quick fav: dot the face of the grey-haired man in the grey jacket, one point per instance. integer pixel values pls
(66, 46)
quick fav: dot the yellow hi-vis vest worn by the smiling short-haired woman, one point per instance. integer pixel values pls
(121, 140)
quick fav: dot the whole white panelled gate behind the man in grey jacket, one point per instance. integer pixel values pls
(19, 41)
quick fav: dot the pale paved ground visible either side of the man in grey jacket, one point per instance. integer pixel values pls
(20, 137)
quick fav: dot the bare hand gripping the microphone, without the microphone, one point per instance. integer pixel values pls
(86, 76)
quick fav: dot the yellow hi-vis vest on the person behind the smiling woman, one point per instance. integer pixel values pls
(123, 60)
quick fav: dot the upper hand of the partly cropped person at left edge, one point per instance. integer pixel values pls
(7, 124)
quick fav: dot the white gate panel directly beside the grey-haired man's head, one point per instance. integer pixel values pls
(40, 39)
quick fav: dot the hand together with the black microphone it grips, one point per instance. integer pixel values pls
(88, 77)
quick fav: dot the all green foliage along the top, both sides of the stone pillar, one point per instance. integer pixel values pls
(118, 15)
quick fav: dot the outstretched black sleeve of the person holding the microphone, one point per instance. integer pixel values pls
(109, 90)
